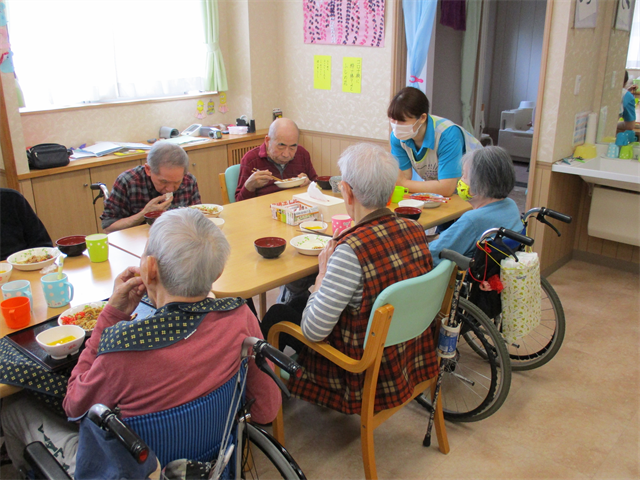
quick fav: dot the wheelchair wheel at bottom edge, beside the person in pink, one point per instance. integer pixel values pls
(265, 457)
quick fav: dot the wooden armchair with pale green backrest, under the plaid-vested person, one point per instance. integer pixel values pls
(401, 312)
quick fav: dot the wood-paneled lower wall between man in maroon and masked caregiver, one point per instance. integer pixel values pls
(325, 149)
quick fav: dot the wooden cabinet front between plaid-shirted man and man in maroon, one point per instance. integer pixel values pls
(205, 164)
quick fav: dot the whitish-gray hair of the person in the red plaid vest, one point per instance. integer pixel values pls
(371, 172)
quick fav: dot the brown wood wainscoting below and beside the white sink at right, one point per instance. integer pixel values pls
(569, 194)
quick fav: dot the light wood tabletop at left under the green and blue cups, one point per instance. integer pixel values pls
(91, 282)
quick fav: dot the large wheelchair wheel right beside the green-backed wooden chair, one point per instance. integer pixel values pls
(477, 380)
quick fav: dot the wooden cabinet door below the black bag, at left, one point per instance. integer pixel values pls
(64, 204)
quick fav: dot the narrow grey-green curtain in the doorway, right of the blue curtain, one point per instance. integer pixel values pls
(469, 57)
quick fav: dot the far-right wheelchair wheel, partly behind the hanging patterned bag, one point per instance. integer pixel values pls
(543, 342)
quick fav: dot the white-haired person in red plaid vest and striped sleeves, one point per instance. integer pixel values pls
(379, 250)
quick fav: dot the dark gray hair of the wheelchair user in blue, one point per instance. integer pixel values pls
(490, 172)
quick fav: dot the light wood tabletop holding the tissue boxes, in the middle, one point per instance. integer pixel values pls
(247, 273)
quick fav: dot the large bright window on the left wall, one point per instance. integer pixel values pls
(82, 51)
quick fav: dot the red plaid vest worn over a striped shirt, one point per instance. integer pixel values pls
(389, 249)
